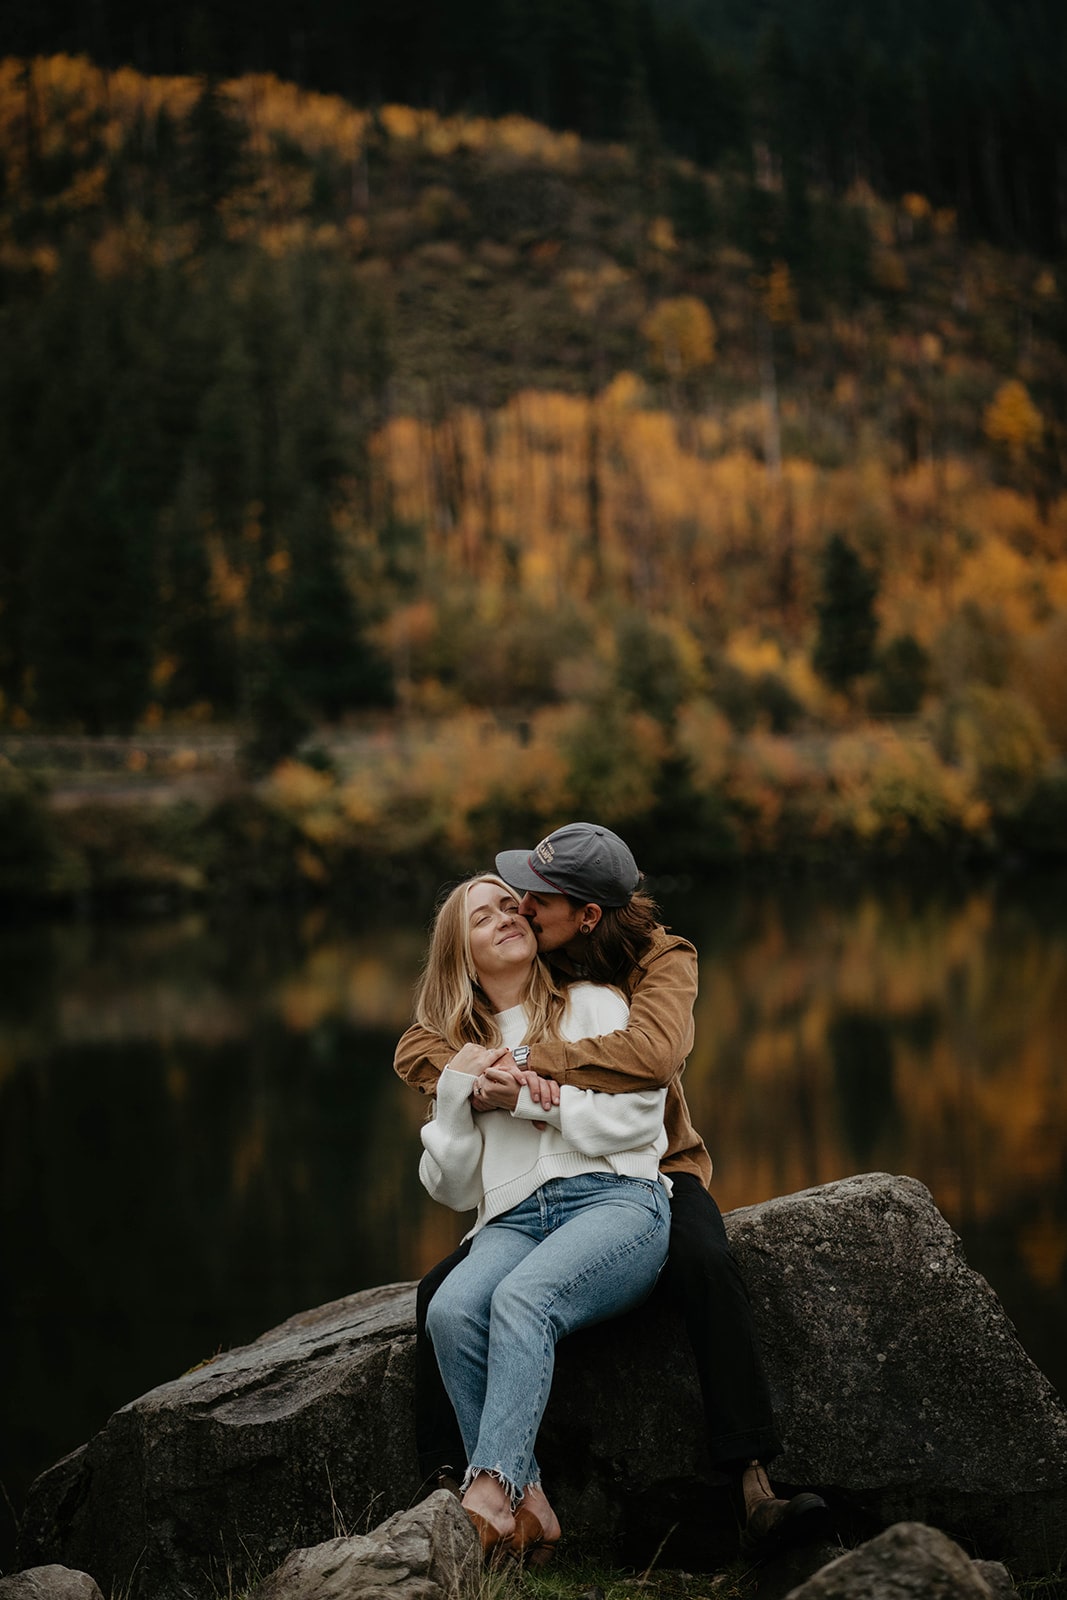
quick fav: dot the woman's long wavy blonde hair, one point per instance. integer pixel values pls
(452, 1002)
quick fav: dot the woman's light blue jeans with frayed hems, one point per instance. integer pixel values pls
(577, 1252)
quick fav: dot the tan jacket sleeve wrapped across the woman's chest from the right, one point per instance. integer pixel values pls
(650, 1050)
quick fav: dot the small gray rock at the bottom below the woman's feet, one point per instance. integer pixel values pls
(430, 1553)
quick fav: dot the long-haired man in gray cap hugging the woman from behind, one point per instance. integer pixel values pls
(580, 890)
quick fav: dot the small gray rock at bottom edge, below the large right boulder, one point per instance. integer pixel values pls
(906, 1562)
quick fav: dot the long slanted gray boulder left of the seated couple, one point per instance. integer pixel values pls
(218, 1476)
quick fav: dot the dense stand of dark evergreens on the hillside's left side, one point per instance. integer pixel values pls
(175, 439)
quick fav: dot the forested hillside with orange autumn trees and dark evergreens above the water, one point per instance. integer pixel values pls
(311, 409)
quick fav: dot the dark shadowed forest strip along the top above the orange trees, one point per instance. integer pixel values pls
(956, 102)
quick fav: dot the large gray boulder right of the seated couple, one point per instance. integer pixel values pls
(897, 1370)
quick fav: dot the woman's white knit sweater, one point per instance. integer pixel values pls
(495, 1159)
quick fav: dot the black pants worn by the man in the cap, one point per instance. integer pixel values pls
(705, 1284)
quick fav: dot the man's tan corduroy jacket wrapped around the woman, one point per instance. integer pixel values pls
(649, 1054)
